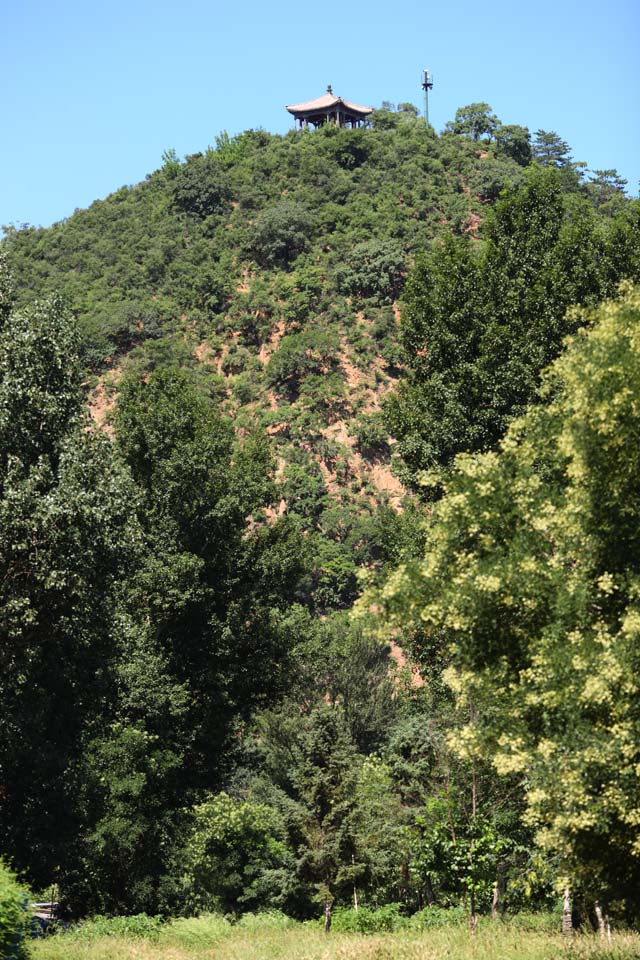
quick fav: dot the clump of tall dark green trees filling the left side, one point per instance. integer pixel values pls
(143, 615)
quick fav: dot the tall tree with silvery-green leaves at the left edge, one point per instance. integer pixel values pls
(68, 537)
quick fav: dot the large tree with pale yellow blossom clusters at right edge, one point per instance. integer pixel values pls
(531, 573)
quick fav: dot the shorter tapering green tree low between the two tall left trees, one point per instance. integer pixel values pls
(131, 784)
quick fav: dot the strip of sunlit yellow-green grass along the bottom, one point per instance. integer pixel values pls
(211, 938)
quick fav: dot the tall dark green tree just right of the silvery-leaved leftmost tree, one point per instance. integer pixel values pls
(217, 579)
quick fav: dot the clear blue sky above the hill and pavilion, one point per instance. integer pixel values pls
(92, 94)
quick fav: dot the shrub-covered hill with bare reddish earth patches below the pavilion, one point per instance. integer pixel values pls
(270, 267)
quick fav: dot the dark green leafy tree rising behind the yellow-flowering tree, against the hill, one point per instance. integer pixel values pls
(479, 327)
